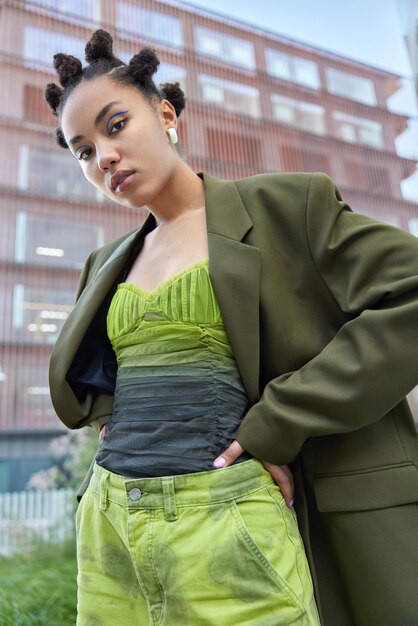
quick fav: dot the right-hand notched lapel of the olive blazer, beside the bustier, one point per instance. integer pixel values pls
(234, 268)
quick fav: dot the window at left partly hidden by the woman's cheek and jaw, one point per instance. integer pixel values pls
(54, 172)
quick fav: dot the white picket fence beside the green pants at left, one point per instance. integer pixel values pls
(26, 515)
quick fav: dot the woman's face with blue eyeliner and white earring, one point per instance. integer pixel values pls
(120, 140)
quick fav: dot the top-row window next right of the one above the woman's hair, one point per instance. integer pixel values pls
(230, 49)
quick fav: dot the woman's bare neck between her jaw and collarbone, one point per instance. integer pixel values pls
(183, 193)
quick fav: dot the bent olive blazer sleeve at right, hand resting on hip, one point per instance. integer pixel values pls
(371, 270)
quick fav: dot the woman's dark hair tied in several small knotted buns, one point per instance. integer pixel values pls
(101, 61)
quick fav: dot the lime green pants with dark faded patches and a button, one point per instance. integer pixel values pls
(212, 548)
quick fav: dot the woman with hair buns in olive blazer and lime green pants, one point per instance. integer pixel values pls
(298, 346)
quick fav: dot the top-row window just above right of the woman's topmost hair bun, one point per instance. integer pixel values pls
(152, 25)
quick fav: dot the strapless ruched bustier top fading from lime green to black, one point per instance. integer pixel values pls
(179, 397)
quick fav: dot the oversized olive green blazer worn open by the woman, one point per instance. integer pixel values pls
(321, 308)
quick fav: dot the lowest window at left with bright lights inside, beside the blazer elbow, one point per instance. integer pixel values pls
(39, 314)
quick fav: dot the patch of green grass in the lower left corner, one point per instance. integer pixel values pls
(38, 587)
